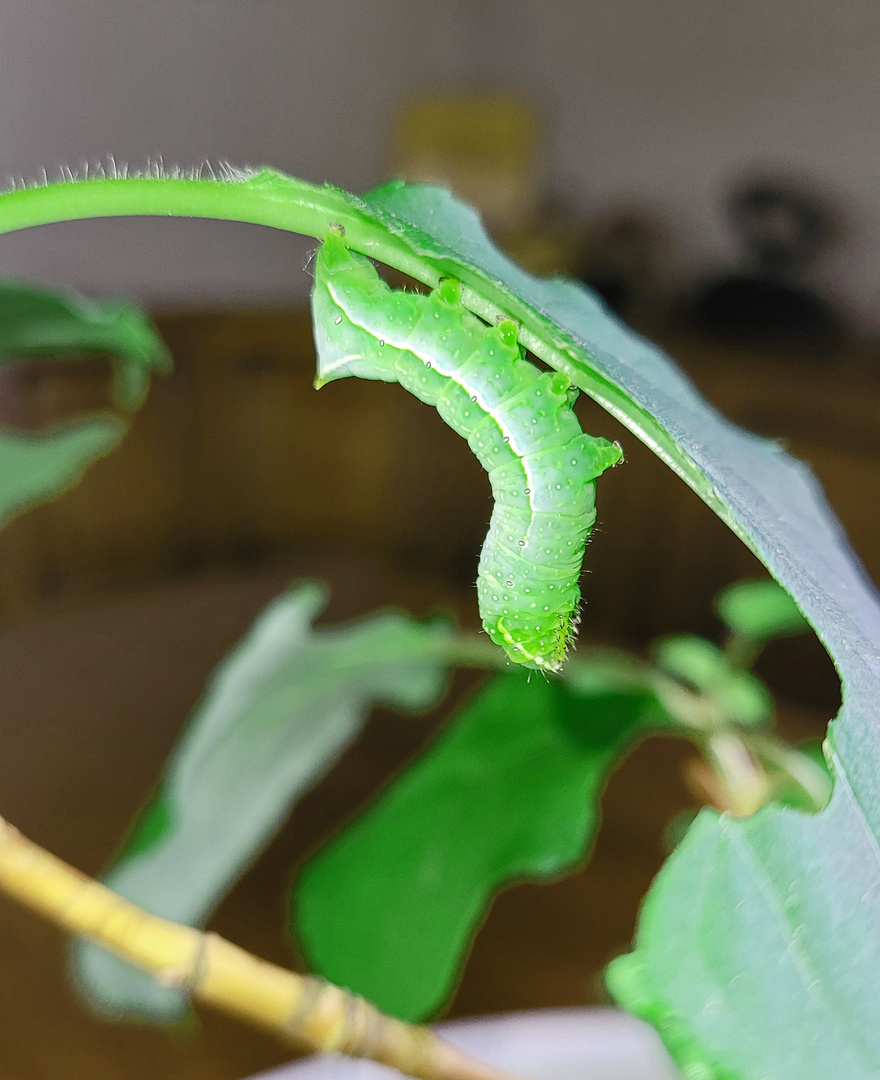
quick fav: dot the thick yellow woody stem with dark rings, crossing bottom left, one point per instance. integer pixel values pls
(301, 1009)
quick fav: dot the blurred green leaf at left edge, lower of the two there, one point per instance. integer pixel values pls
(36, 468)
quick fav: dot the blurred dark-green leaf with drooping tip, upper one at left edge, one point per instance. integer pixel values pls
(37, 322)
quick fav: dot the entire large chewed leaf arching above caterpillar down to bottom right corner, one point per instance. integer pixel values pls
(750, 921)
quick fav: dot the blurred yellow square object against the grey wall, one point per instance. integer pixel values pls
(484, 146)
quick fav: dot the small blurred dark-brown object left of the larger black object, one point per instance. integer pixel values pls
(620, 258)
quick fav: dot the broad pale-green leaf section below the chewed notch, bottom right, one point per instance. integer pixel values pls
(786, 985)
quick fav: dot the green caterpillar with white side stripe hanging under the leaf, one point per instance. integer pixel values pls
(518, 422)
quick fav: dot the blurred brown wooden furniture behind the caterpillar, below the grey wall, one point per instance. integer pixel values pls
(237, 460)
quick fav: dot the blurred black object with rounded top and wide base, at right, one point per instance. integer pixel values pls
(783, 232)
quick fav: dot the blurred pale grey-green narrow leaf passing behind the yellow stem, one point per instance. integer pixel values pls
(275, 718)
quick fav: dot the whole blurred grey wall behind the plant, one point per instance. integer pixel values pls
(654, 101)
